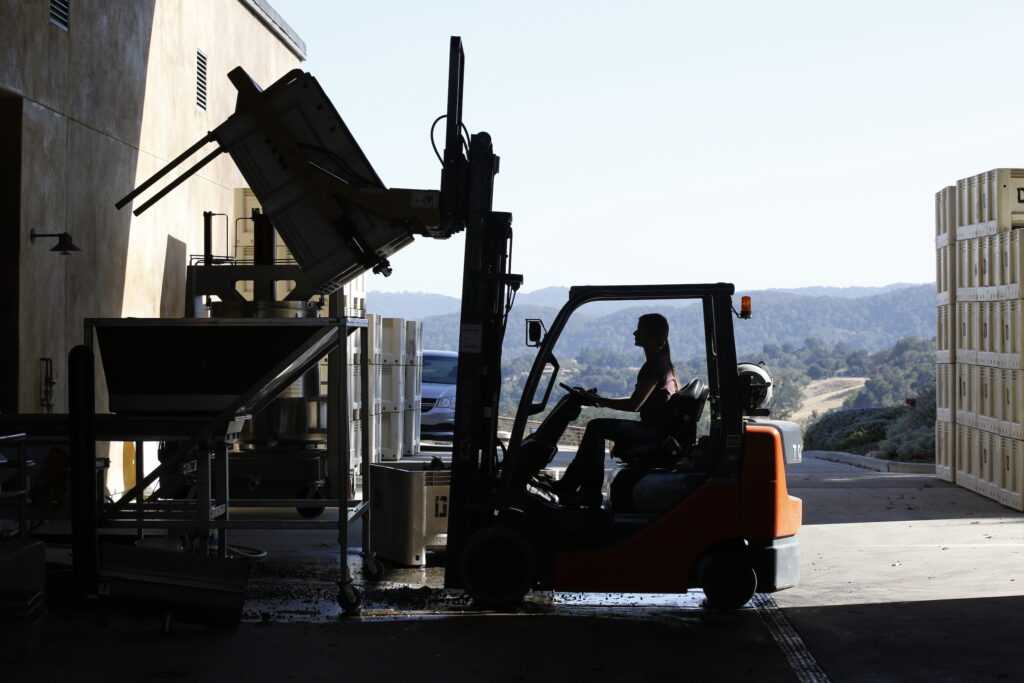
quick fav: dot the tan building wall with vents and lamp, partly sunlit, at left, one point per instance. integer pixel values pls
(106, 105)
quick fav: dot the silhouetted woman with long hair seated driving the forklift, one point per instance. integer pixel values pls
(657, 382)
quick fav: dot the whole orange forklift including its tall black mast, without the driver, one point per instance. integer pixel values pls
(713, 513)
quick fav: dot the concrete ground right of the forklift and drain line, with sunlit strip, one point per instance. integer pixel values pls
(907, 578)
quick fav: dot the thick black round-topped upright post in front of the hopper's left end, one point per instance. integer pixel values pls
(82, 440)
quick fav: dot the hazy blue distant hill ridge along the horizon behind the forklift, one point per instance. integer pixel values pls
(869, 323)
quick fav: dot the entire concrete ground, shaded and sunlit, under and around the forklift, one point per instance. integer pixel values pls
(905, 578)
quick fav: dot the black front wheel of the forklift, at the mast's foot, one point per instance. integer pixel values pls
(499, 568)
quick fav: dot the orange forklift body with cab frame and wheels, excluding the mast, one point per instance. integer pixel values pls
(709, 513)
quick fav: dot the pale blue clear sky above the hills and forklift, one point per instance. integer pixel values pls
(773, 145)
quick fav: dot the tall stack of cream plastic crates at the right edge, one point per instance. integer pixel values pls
(980, 426)
